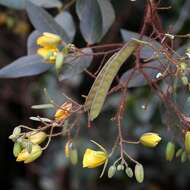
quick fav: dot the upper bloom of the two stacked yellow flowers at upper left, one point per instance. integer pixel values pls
(49, 40)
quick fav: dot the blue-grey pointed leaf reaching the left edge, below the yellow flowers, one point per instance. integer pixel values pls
(24, 66)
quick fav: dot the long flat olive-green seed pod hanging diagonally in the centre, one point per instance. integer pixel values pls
(101, 85)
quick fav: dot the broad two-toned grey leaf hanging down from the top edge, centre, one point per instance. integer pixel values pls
(96, 17)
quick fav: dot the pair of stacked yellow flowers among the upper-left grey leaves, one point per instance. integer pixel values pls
(49, 49)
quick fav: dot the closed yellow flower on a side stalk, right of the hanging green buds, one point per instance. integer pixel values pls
(150, 139)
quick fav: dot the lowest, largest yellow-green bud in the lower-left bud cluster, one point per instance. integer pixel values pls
(27, 157)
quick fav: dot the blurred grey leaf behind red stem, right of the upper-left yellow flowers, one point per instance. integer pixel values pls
(73, 65)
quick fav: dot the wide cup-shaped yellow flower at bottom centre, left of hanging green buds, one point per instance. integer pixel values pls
(93, 159)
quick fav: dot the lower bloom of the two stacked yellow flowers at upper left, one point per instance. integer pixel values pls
(48, 53)
